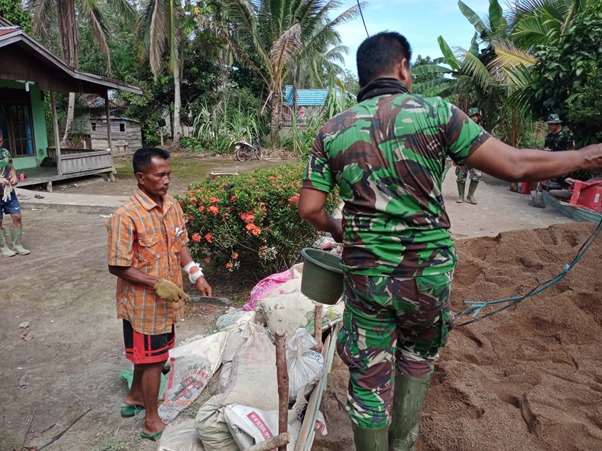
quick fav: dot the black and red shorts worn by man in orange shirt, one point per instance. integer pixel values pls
(141, 348)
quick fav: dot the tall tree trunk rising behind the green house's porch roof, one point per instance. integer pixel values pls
(68, 31)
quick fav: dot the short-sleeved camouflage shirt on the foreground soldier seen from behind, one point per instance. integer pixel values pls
(387, 155)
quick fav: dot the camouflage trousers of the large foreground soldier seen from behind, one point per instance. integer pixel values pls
(390, 321)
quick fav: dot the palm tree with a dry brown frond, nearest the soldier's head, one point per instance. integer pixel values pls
(275, 36)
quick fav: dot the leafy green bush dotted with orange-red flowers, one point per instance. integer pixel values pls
(249, 222)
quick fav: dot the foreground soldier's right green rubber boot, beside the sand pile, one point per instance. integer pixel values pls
(408, 399)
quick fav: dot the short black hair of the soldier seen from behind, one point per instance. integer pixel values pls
(379, 54)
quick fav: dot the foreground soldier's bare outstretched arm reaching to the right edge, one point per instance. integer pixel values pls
(508, 163)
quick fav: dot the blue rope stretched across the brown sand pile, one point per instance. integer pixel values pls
(477, 306)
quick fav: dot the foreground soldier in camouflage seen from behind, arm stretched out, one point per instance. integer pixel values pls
(387, 155)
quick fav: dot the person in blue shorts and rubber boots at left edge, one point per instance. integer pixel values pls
(9, 204)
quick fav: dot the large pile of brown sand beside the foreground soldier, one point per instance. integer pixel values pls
(529, 378)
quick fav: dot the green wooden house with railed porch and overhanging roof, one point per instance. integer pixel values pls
(27, 72)
